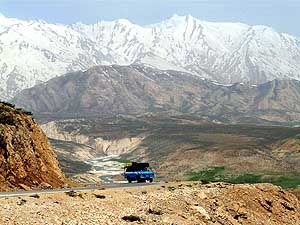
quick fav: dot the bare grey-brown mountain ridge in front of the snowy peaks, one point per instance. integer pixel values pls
(137, 89)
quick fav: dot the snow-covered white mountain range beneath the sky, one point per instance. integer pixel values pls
(34, 51)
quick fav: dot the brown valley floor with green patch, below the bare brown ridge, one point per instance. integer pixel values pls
(187, 147)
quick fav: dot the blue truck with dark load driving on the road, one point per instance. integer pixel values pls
(139, 172)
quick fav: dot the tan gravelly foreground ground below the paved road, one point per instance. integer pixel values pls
(172, 203)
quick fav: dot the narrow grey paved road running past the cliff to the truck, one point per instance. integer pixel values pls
(106, 186)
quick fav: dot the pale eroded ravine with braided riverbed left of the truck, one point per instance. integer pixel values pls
(104, 155)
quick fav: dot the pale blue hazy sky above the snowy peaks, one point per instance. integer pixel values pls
(283, 15)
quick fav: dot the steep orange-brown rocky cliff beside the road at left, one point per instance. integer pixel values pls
(26, 158)
